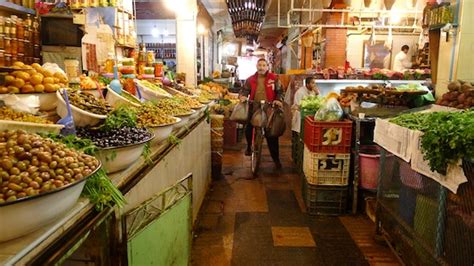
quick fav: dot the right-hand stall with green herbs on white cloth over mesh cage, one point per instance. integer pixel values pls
(424, 199)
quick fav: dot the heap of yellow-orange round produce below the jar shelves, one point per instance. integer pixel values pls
(35, 79)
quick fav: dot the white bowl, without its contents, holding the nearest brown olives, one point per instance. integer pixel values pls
(25, 215)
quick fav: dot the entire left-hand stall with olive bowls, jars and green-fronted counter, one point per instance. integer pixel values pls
(88, 155)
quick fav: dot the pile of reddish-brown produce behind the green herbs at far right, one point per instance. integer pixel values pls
(460, 95)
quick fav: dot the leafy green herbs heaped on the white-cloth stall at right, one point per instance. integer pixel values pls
(448, 136)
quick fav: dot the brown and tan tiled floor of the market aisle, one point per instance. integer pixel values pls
(262, 221)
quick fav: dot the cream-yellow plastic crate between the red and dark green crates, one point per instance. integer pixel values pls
(326, 169)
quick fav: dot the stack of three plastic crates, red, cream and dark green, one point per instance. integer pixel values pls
(326, 165)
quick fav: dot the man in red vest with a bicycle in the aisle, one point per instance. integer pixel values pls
(262, 86)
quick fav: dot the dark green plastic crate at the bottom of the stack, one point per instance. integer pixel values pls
(325, 200)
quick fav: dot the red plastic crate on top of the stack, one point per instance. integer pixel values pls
(315, 131)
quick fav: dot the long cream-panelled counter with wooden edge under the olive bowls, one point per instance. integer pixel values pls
(142, 181)
